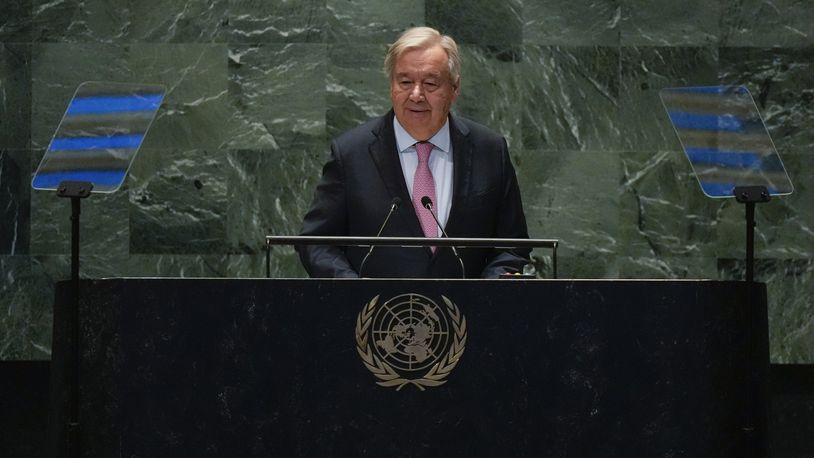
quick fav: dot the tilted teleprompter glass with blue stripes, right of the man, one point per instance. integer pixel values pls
(725, 139)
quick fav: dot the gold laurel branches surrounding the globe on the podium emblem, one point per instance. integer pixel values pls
(388, 376)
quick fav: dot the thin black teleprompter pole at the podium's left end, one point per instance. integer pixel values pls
(75, 190)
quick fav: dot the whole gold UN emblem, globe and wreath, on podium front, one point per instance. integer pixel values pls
(410, 339)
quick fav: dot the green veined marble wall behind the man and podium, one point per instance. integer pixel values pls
(257, 89)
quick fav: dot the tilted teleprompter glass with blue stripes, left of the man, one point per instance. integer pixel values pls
(99, 135)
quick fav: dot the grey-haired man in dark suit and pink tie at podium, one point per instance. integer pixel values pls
(418, 149)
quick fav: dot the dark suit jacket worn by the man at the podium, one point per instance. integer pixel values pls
(364, 174)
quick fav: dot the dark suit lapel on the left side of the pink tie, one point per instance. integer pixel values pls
(384, 152)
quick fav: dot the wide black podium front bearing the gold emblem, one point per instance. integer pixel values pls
(258, 368)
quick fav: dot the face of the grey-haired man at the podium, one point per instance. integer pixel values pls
(422, 92)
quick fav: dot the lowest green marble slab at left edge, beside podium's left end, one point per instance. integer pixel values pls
(26, 301)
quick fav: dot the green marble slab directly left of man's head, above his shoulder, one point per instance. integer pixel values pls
(357, 88)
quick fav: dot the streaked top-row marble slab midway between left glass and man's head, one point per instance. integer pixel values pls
(275, 21)
